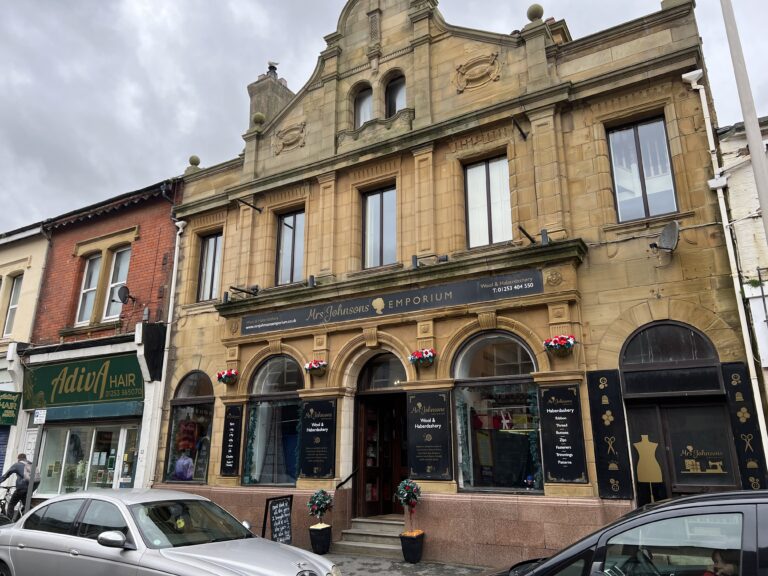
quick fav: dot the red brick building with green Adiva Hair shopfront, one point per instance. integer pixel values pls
(96, 350)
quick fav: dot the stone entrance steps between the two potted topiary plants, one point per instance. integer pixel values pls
(375, 536)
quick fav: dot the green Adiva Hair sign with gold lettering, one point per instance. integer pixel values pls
(112, 379)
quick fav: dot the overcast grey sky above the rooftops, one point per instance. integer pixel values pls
(102, 97)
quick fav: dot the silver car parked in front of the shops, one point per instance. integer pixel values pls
(143, 532)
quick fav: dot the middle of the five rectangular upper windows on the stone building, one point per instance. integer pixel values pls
(379, 228)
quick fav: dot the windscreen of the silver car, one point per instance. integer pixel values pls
(174, 523)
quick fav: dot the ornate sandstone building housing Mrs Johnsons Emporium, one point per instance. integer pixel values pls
(435, 188)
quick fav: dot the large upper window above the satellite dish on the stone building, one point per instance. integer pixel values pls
(642, 171)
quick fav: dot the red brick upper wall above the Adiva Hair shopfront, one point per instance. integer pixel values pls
(149, 270)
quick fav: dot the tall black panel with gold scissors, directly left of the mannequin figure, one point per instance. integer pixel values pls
(614, 475)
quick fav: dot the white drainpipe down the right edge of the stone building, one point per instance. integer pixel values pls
(718, 184)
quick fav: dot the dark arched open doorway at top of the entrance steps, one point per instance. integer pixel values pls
(381, 444)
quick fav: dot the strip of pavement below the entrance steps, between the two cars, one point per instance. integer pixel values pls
(365, 565)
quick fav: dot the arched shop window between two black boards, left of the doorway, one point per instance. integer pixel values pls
(272, 446)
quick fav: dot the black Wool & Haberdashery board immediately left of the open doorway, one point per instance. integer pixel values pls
(318, 439)
